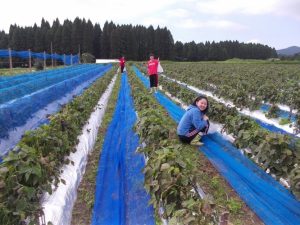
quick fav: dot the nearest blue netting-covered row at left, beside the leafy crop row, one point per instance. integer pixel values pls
(34, 107)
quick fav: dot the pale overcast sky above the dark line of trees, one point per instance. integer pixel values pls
(272, 22)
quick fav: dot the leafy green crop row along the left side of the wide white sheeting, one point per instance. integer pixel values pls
(34, 165)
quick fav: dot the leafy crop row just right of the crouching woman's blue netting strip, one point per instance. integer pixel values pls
(276, 152)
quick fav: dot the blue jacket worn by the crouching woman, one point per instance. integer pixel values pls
(191, 120)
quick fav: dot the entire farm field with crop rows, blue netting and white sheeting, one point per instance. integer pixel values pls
(134, 166)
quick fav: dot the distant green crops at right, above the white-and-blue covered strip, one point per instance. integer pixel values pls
(246, 85)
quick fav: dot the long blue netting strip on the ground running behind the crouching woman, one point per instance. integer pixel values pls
(265, 196)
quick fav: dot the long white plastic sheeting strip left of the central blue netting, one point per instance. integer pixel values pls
(58, 206)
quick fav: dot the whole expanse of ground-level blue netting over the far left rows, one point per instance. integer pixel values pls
(14, 113)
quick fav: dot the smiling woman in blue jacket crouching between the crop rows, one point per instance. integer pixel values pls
(194, 121)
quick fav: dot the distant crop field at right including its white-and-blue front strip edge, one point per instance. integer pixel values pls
(271, 90)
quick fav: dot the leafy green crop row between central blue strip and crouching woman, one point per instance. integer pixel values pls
(173, 170)
